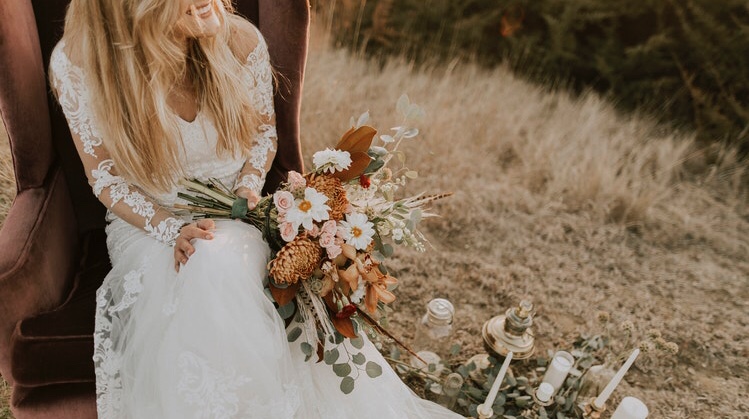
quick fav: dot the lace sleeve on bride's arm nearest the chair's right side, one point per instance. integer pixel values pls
(263, 150)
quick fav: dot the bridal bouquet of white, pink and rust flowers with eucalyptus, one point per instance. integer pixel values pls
(331, 231)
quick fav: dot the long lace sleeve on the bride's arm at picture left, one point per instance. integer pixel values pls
(125, 200)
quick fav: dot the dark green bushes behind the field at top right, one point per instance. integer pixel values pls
(683, 61)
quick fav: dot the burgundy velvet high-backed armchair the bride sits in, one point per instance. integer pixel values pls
(52, 246)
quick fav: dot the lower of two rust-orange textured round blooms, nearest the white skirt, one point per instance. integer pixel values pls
(295, 261)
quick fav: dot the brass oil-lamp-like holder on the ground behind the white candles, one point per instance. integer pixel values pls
(511, 332)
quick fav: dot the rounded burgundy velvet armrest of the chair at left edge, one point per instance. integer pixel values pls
(38, 252)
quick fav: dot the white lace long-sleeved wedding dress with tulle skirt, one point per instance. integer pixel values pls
(205, 342)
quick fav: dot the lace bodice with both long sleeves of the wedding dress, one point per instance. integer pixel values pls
(198, 157)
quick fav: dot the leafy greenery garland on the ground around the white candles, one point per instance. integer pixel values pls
(605, 348)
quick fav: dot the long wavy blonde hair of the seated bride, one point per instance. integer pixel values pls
(132, 61)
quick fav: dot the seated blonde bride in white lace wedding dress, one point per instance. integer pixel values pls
(158, 90)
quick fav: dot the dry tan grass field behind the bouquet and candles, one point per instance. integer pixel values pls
(563, 201)
